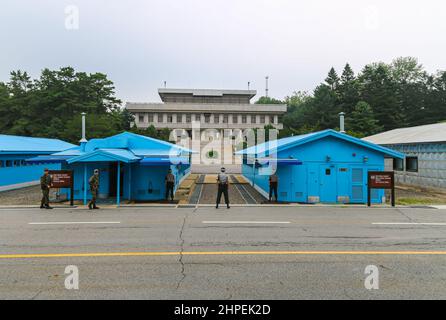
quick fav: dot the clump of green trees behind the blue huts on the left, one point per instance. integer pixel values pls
(51, 105)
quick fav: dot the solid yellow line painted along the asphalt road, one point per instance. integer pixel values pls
(214, 253)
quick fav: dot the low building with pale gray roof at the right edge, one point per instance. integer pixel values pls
(425, 150)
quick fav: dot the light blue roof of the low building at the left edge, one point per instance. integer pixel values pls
(19, 144)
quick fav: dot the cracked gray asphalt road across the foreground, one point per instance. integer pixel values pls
(242, 253)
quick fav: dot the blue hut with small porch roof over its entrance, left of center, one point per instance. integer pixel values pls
(131, 166)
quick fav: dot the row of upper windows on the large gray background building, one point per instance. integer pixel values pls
(207, 118)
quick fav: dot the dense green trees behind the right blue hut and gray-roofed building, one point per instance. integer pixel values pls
(381, 97)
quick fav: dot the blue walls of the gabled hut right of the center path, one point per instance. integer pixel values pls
(344, 175)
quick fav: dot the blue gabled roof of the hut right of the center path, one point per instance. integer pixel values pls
(289, 142)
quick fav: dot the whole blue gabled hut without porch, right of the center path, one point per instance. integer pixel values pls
(325, 166)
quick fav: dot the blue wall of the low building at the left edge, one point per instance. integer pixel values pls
(21, 172)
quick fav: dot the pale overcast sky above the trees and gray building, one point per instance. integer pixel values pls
(218, 44)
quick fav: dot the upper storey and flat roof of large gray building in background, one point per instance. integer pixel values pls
(213, 109)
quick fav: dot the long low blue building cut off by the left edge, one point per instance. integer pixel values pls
(15, 171)
